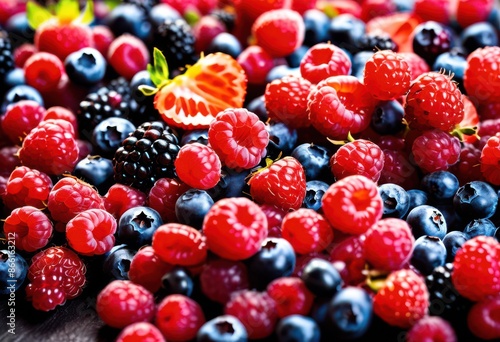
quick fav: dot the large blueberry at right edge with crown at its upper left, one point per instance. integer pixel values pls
(476, 199)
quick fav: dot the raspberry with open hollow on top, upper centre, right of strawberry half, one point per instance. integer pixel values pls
(324, 60)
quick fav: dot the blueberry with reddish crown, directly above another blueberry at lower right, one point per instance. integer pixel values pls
(427, 220)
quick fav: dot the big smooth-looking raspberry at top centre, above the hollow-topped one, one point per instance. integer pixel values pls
(284, 23)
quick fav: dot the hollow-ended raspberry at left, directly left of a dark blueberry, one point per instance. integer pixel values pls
(91, 232)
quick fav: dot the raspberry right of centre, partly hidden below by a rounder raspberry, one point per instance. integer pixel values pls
(358, 157)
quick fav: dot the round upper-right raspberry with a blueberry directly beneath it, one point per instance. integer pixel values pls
(387, 75)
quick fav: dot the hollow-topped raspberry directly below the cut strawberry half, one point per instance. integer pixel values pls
(238, 137)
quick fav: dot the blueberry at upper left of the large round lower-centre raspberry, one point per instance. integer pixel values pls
(192, 206)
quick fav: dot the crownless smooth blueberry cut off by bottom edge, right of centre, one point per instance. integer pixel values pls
(296, 328)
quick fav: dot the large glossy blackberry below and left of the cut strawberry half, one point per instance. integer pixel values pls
(147, 155)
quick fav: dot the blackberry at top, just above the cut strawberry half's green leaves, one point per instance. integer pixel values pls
(176, 40)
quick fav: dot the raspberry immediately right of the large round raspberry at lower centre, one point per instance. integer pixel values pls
(307, 231)
